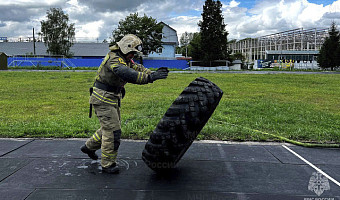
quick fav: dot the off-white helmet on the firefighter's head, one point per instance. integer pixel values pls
(130, 43)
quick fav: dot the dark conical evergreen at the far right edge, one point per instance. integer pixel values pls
(329, 56)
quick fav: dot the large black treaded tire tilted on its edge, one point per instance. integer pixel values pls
(181, 124)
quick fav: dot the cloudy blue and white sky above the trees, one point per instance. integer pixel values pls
(96, 19)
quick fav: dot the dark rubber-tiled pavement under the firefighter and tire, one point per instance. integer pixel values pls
(56, 169)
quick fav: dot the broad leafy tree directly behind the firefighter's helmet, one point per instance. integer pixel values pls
(146, 28)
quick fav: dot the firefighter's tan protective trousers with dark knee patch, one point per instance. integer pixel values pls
(108, 136)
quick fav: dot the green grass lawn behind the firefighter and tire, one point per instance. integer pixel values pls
(55, 104)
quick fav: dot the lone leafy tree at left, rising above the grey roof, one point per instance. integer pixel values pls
(57, 34)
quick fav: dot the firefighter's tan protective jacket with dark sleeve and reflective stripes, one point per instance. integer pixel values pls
(113, 73)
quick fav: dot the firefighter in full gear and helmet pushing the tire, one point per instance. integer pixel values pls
(115, 71)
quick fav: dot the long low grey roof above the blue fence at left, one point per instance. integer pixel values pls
(79, 49)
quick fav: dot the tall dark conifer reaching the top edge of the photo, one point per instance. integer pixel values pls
(213, 33)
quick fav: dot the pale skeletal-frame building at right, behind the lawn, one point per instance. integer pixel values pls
(297, 44)
